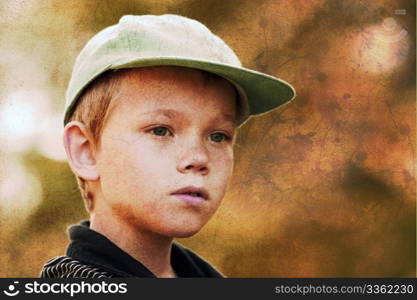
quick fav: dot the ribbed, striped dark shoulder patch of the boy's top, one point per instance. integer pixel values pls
(67, 267)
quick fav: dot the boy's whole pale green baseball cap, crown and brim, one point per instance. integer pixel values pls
(172, 40)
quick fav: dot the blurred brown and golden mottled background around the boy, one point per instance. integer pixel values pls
(324, 186)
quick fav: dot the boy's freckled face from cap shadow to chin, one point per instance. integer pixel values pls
(168, 128)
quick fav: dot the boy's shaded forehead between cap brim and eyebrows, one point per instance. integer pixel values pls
(171, 89)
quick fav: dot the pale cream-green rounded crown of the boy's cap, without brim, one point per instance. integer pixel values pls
(146, 37)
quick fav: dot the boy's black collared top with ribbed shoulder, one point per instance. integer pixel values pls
(92, 255)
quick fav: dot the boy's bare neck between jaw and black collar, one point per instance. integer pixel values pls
(152, 250)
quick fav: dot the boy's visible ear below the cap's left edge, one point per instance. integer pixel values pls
(80, 151)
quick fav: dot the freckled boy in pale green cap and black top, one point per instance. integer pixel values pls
(152, 109)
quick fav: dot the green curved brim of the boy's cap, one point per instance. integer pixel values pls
(263, 92)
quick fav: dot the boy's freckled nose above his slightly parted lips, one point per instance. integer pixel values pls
(193, 158)
